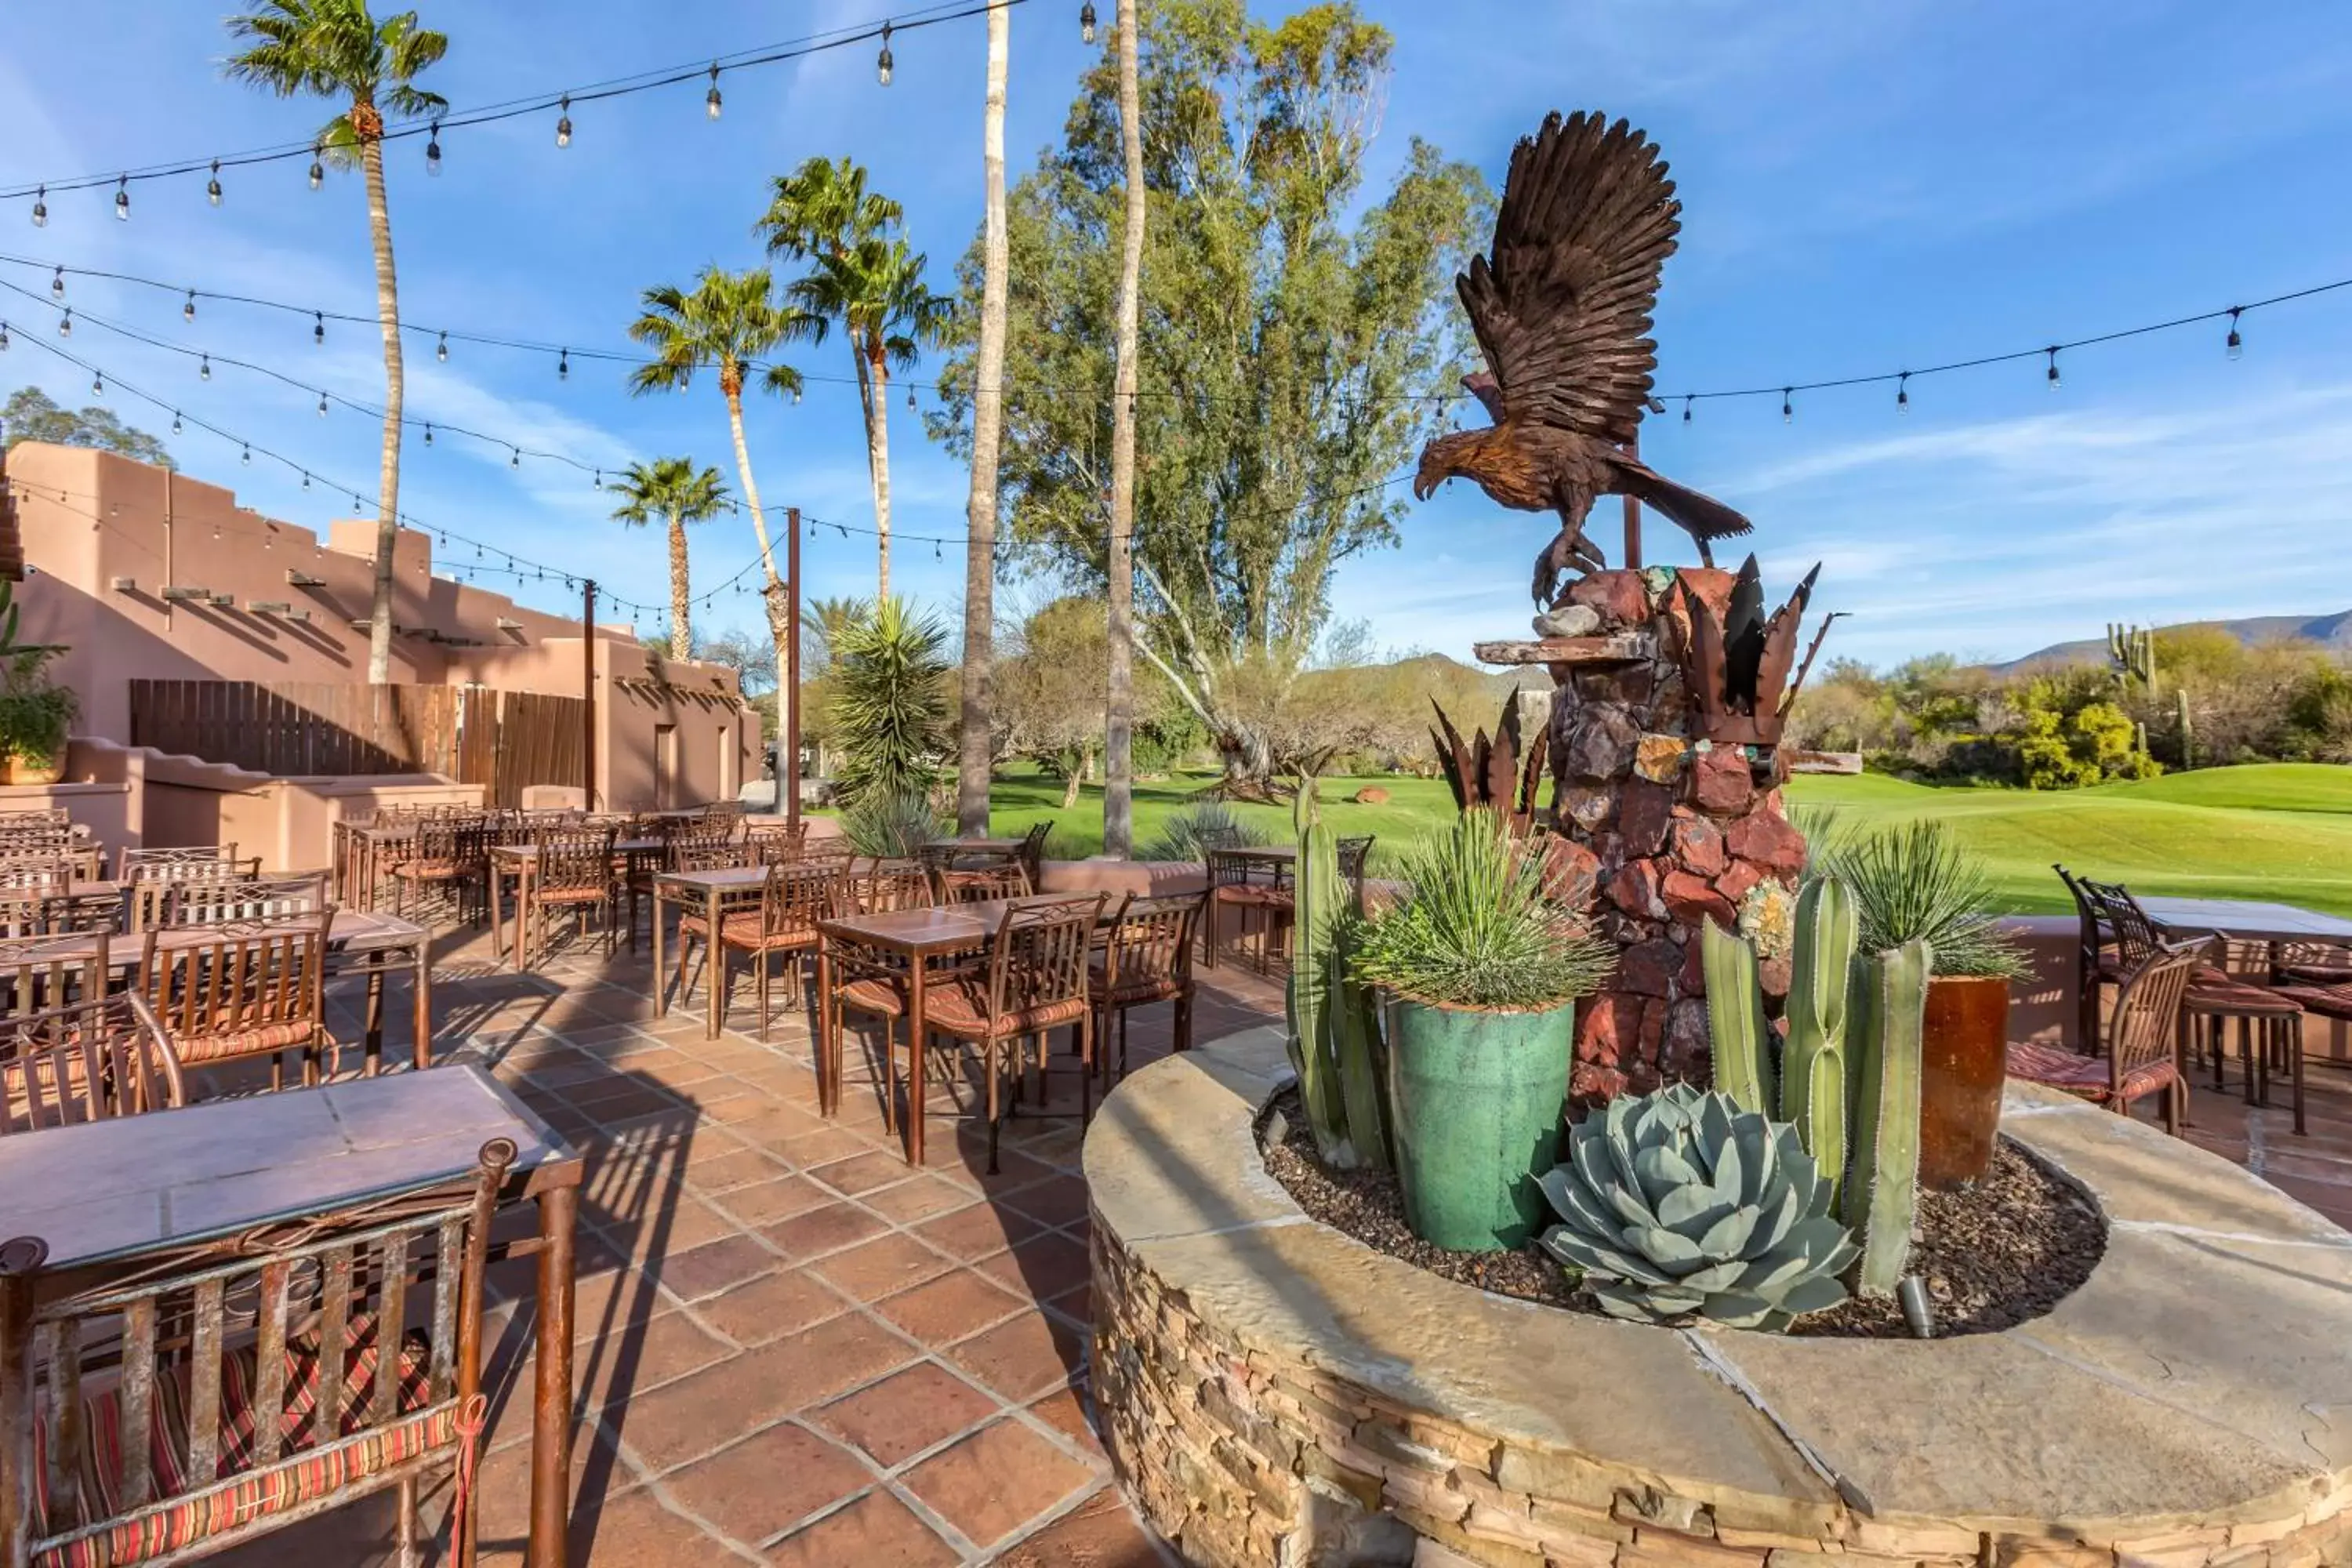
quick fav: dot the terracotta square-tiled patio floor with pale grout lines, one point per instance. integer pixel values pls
(794, 1348)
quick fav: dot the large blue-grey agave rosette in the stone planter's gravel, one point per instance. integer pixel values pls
(1681, 1202)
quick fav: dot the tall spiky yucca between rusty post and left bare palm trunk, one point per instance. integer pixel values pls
(890, 702)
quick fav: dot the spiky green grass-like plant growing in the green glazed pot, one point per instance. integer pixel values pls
(1476, 927)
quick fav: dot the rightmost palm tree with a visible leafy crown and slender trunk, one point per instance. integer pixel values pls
(876, 293)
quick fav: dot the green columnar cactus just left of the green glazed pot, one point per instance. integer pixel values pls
(1332, 1026)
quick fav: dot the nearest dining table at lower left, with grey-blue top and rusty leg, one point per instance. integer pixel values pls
(105, 1195)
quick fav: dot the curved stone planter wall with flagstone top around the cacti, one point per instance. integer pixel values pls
(1276, 1393)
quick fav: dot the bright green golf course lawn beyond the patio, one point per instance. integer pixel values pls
(2269, 831)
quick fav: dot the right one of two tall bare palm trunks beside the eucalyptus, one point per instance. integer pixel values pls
(1121, 565)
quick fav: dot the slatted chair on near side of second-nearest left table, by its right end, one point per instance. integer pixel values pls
(246, 993)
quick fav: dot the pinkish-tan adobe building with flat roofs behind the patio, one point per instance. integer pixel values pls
(154, 577)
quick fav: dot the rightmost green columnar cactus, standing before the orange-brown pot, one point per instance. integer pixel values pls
(1880, 1202)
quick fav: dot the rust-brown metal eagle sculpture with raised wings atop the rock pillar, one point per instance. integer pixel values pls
(1563, 316)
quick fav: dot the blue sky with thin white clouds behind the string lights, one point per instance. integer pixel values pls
(1866, 187)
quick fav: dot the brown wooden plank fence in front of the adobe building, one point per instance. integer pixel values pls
(497, 739)
